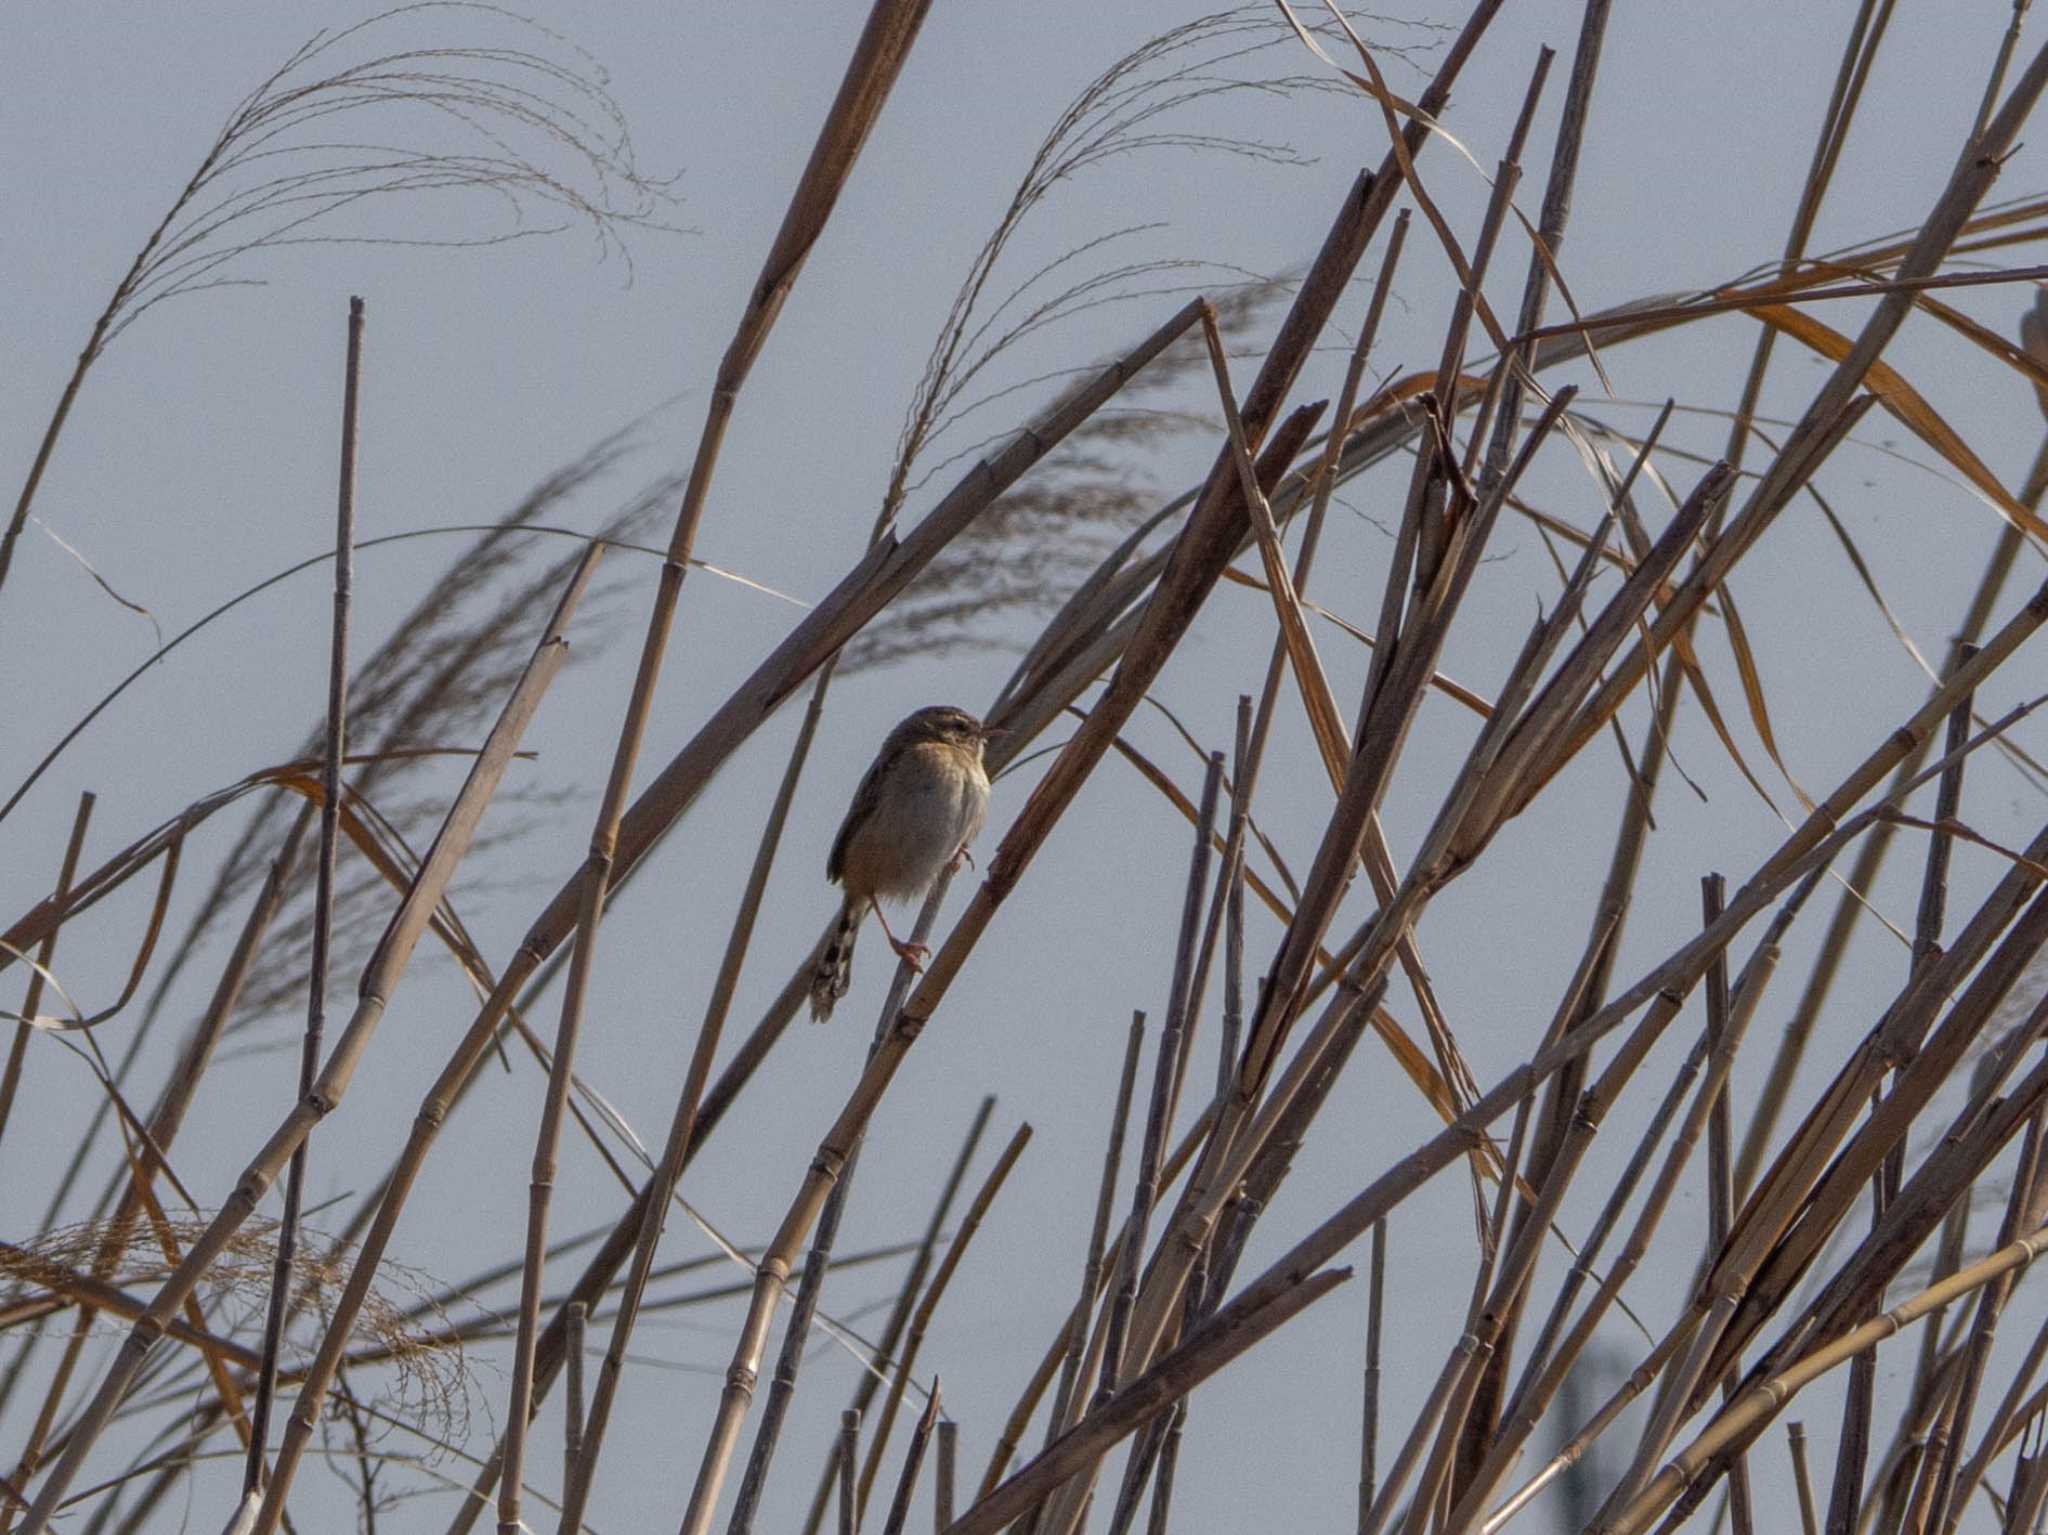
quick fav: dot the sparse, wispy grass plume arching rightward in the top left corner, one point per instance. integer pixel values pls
(343, 130)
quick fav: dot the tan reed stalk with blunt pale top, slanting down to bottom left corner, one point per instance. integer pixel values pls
(382, 973)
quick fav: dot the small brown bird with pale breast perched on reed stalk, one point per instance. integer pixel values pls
(916, 812)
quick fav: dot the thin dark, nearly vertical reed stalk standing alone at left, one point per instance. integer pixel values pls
(331, 836)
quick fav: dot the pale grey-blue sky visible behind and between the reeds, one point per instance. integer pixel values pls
(200, 459)
